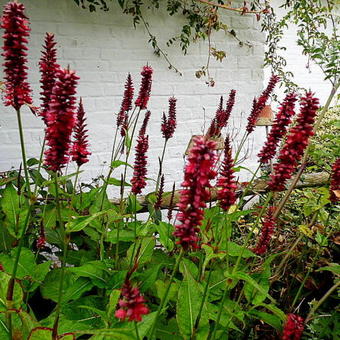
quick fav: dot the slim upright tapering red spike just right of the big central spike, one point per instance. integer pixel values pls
(226, 183)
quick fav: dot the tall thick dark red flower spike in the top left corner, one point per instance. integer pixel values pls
(15, 23)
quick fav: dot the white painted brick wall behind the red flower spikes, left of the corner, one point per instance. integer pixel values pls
(103, 47)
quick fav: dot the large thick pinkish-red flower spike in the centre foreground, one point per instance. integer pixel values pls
(194, 195)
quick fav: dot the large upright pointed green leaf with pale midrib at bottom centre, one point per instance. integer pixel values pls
(188, 303)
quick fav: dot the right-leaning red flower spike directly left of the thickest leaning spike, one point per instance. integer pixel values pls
(279, 128)
